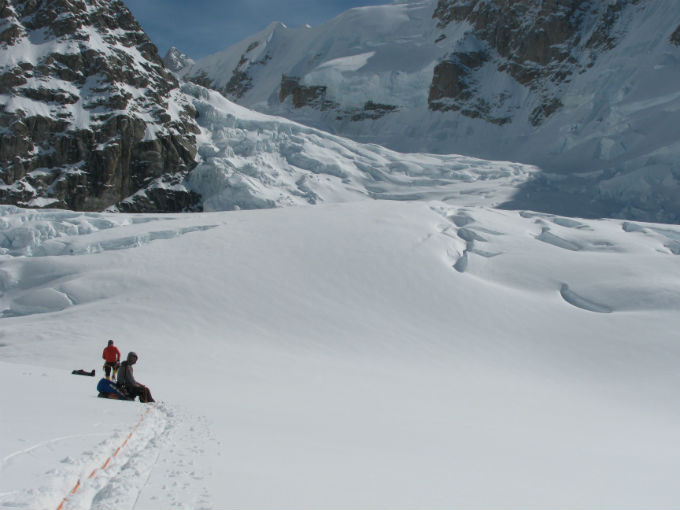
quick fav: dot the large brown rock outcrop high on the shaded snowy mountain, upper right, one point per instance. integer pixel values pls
(539, 44)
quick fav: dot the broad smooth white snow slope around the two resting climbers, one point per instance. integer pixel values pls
(385, 354)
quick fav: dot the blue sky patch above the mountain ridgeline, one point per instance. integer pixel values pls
(202, 27)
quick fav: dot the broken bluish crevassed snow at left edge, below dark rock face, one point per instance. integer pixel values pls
(35, 278)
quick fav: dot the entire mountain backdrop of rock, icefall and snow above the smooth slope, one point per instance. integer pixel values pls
(584, 94)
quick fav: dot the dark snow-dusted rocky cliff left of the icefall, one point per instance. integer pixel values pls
(90, 119)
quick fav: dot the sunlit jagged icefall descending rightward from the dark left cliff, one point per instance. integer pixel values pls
(250, 160)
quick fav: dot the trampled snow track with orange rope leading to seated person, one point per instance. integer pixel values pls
(161, 453)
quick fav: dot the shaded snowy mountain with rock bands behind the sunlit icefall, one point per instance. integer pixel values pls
(587, 90)
